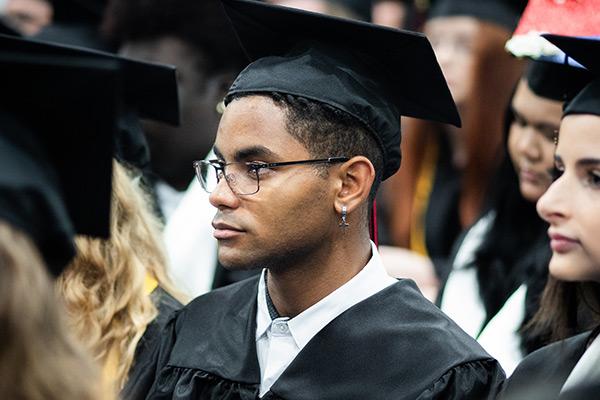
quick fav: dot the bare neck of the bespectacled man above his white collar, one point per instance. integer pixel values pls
(293, 289)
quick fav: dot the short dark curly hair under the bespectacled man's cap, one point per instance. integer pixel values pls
(326, 131)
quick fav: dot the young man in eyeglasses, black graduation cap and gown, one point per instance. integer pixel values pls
(310, 128)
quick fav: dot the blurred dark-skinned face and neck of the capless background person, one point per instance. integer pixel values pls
(173, 149)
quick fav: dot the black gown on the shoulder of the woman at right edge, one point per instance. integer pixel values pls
(546, 370)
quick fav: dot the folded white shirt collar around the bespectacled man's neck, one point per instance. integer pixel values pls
(370, 280)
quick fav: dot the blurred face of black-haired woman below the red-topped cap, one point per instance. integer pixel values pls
(531, 140)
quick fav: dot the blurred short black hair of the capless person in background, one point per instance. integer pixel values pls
(201, 24)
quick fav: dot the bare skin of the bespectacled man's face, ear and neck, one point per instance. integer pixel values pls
(291, 225)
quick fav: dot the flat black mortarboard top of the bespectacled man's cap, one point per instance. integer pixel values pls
(413, 76)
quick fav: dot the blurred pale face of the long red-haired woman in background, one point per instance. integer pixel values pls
(453, 40)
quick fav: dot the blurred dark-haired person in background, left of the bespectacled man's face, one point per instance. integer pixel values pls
(193, 36)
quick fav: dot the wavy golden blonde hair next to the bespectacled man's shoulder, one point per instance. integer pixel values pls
(104, 286)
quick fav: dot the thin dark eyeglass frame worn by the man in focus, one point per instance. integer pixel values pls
(219, 166)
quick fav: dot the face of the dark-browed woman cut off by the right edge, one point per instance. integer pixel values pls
(572, 203)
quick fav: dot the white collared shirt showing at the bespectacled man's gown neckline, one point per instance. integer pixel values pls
(280, 340)
